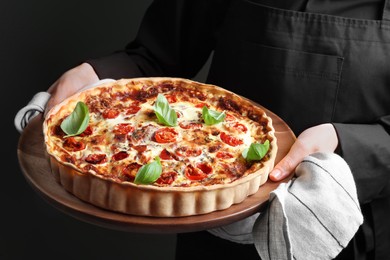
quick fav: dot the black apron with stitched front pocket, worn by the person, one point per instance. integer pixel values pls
(309, 69)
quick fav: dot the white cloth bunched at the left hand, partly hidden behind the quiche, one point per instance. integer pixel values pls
(38, 104)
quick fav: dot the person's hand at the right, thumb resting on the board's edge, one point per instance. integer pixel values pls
(321, 138)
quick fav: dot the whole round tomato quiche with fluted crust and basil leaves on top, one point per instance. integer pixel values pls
(162, 147)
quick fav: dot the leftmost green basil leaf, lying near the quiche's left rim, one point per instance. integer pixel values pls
(77, 121)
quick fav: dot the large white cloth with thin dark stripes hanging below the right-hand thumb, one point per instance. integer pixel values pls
(313, 216)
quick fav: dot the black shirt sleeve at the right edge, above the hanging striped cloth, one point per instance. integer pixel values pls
(366, 148)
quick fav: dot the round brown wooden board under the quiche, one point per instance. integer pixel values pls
(36, 169)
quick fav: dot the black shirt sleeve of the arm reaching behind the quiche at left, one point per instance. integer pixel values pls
(175, 38)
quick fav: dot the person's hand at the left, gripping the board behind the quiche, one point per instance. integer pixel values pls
(70, 82)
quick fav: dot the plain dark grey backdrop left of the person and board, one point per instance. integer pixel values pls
(39, 40)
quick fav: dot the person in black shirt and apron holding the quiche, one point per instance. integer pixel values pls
(322, 66)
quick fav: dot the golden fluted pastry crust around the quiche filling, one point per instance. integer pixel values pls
(149, 200)
